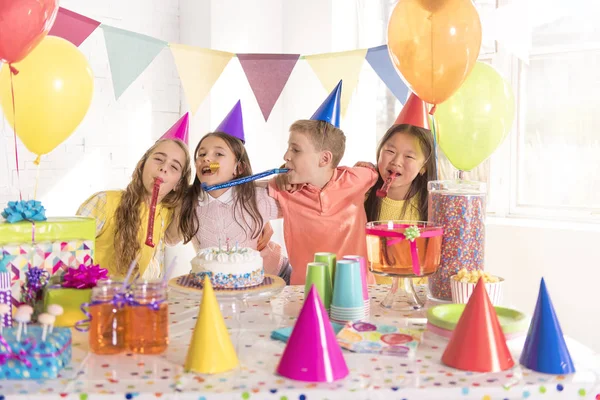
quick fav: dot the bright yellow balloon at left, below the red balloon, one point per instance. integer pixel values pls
(52, 92)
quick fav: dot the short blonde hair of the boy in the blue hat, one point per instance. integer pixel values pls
(323, 136)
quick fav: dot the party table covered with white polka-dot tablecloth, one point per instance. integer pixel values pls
(132, 376)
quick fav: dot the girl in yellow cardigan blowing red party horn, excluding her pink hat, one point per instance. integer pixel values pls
(122, 215)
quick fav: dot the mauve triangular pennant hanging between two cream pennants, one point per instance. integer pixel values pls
(267, 75)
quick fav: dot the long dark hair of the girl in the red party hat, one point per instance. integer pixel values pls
(418, 185)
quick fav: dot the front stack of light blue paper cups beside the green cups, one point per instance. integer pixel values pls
(347, 302)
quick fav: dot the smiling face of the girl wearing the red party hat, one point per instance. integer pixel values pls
(402, 156)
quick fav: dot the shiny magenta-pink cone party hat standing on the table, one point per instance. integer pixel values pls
(312, 353)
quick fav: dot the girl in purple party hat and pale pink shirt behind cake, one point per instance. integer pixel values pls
(236, 215)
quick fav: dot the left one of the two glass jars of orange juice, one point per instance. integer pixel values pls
(107, 324)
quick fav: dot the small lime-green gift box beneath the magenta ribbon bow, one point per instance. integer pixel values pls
(70, 300)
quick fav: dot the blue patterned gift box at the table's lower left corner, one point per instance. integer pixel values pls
(32, 358)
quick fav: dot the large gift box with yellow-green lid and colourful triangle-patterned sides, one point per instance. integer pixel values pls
(59, 243)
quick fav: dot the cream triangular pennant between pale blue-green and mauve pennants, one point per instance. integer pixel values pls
(198, 70)
